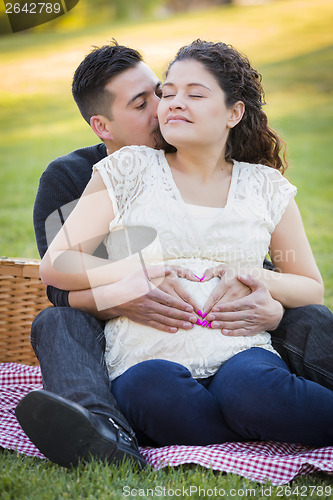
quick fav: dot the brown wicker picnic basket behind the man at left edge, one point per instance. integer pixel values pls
(22, 297)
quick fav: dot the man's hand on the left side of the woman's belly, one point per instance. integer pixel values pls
(166, 308)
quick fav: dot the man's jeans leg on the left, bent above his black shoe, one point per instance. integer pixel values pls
(70, 345)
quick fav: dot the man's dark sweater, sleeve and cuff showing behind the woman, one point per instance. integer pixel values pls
(63, 181)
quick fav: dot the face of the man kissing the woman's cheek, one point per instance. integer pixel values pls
(134, 120)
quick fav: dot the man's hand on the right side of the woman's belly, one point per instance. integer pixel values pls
(248, 315)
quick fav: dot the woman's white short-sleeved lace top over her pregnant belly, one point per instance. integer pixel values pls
(143, 192)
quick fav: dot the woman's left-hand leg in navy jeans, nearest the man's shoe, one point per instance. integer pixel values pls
(165, 406)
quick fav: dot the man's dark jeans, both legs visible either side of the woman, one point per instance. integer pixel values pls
(69, 345)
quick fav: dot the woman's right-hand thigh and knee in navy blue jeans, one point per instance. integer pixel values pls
(262, 400)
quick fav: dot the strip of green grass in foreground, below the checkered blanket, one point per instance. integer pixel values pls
(33, 479)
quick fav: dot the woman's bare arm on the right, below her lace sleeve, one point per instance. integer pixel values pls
(298, 281)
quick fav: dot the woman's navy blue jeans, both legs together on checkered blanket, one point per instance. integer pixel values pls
(253, 396)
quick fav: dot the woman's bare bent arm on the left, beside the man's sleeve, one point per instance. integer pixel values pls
(68, 263)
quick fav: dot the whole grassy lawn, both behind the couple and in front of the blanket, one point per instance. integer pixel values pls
(291, 42)
